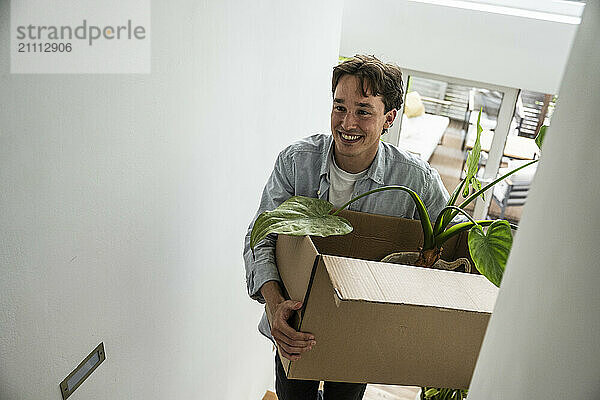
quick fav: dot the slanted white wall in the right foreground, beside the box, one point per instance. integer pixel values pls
(543, 340)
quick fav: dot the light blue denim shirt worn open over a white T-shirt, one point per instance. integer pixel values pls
(302, 169)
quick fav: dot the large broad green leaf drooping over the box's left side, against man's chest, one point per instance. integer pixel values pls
(299, 216)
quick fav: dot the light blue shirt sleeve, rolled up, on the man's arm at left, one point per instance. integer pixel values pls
(261, 267)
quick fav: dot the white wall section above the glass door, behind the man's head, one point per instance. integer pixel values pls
(505, 50)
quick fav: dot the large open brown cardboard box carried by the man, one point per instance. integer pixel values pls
(383, 323)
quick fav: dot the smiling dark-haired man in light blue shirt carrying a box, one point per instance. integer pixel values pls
(367, 95)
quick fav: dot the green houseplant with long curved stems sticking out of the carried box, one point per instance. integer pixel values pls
(300, 216)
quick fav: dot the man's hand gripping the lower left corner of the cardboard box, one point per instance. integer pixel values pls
(291, 342)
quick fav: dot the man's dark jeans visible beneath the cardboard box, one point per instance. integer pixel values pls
(295, 389)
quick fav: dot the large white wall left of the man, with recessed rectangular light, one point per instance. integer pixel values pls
(124, 201)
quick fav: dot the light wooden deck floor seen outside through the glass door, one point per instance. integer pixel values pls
(448, 158)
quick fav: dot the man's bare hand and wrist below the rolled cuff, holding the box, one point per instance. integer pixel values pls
(291, 342)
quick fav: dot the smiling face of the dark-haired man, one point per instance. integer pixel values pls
(356, 124)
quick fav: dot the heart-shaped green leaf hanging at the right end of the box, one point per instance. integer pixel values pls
(490, 251)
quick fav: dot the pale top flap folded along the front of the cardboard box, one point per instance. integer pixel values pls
(362, 280)
